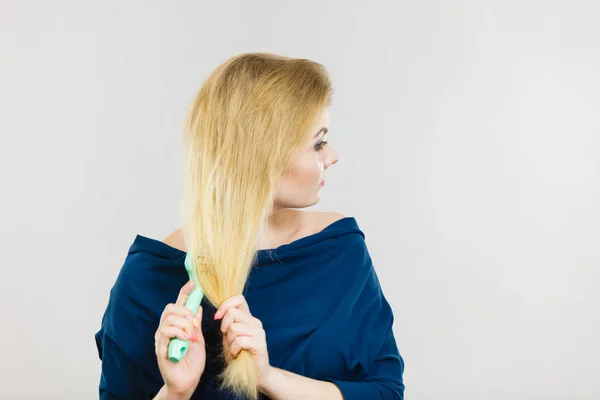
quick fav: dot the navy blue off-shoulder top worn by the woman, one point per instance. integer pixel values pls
(319, 299)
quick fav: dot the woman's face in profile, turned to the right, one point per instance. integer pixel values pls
(301, 184)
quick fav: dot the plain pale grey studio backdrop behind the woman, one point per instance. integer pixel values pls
(469, 142)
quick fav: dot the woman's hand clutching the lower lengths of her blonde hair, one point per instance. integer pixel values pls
(243, 331)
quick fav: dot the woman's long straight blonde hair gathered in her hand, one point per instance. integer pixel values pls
(249, 119)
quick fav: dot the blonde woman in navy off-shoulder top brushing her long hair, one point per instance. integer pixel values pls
(293, 308)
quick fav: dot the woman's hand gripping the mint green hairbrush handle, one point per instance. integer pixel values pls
(181, 378)
